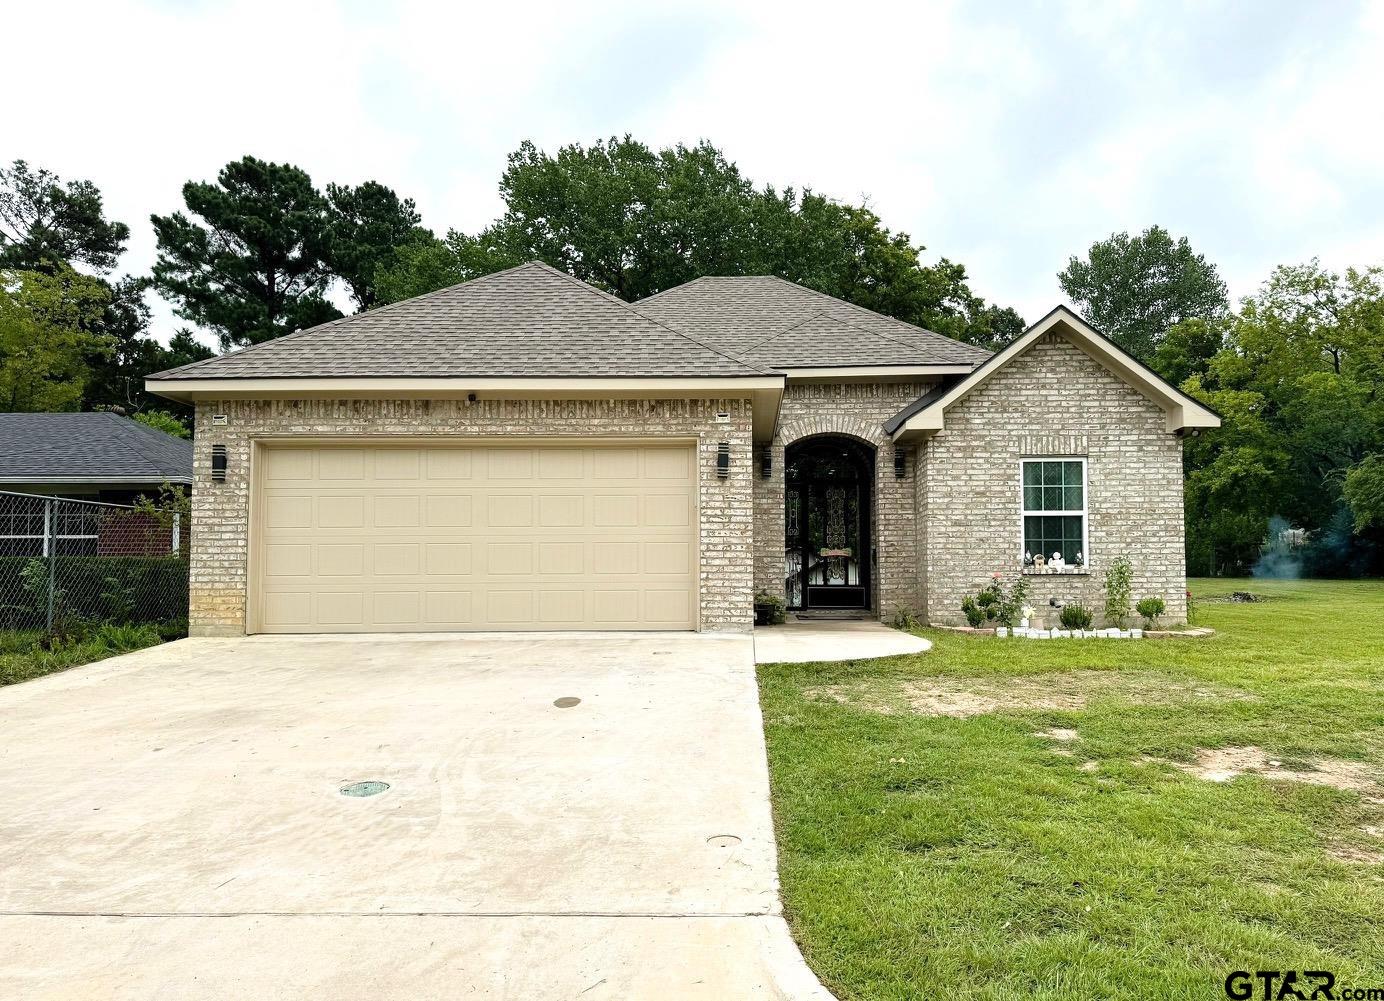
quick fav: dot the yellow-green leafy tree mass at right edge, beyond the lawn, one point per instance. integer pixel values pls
(1297, 380)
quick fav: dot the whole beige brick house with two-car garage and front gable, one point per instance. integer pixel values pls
(525, 452)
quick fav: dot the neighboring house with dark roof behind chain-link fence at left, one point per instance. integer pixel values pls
(95, 458)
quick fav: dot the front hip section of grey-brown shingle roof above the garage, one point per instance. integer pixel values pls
(528, 322)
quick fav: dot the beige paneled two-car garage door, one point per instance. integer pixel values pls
(474, 538)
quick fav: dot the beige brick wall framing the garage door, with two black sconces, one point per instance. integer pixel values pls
(221, 512)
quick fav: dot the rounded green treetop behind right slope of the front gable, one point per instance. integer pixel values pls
(1136, 289)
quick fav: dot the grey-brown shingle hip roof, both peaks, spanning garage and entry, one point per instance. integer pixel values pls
(538, 322)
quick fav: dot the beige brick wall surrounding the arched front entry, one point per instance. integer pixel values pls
(859, 411)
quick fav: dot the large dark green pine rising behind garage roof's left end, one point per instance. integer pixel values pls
(257, 265)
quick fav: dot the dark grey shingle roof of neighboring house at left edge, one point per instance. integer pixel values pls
(96, 448)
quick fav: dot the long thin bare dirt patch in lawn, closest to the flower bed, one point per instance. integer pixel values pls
(1064, 692)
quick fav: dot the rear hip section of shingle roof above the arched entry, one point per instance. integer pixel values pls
(777, 323)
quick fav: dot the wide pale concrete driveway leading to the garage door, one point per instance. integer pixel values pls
(174, 826)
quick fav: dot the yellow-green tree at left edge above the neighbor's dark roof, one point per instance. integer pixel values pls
(45, 337)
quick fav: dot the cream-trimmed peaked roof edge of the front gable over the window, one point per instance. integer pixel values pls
(925, 416)
